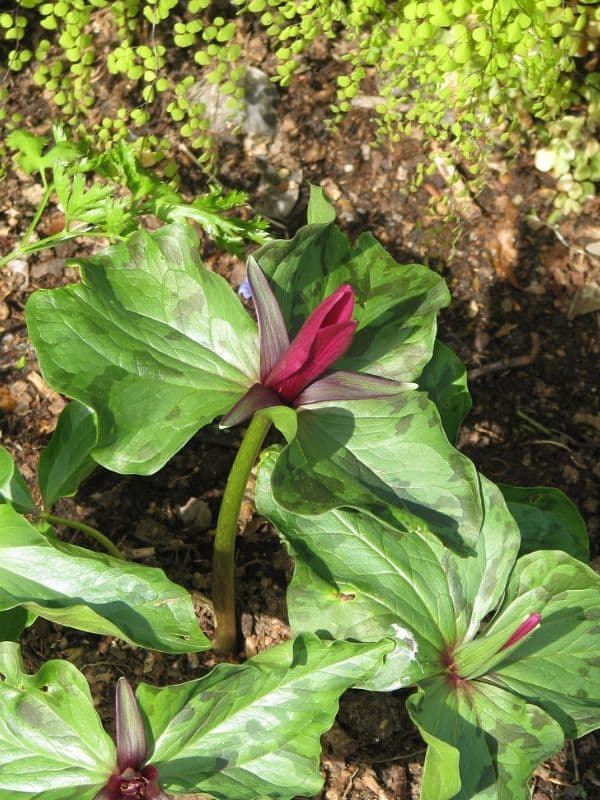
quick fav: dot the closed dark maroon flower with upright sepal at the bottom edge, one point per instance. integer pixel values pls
(132, 779)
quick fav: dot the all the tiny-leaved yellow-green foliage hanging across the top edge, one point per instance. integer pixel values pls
(465, 71)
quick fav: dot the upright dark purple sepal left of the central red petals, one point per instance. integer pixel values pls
(273, 335)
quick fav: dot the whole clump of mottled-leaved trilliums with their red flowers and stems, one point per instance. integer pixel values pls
(412, 569)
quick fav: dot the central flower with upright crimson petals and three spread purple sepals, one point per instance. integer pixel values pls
(295, 374)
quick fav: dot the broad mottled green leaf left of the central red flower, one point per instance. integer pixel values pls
(152, 341)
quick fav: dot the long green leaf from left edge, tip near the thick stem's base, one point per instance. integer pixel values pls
(93, 592)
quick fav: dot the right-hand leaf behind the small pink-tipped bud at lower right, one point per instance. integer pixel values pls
(556, 666)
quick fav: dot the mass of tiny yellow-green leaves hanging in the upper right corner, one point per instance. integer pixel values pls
(467, 72)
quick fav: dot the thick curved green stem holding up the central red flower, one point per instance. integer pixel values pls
(224, 546)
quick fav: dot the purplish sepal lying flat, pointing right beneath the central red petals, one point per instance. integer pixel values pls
(349, 386)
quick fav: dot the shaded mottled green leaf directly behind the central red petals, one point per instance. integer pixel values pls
(396, 305)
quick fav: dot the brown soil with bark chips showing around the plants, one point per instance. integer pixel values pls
(535, 385)
